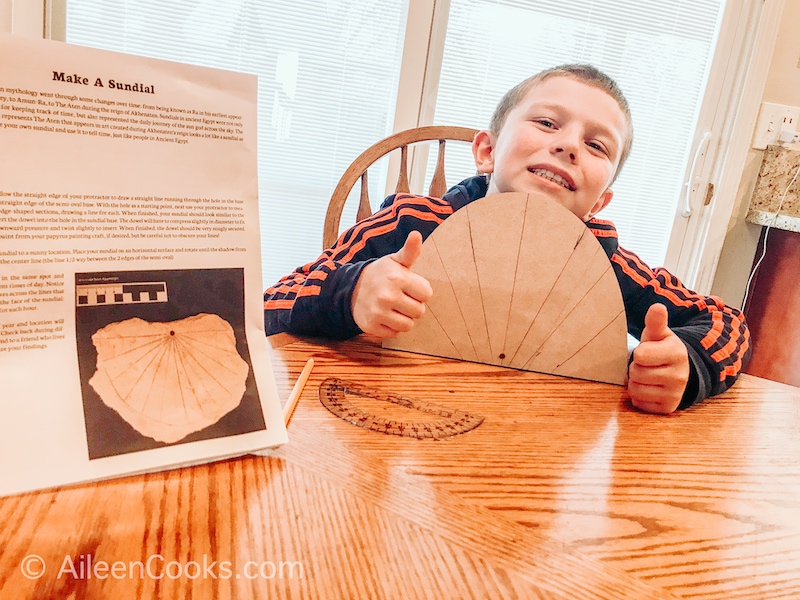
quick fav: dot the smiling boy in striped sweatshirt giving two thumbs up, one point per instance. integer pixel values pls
(564, 132)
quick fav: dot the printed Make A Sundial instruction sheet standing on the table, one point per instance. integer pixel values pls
(128, 190)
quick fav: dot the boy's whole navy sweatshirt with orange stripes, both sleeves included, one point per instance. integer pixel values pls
(315, 298)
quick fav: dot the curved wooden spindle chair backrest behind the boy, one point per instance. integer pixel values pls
(358, 170)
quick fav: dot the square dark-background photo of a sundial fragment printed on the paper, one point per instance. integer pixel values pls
(163, 358)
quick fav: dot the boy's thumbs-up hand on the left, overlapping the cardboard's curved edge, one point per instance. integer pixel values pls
(388, 297)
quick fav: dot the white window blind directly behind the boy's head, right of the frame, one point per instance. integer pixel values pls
(658, 52)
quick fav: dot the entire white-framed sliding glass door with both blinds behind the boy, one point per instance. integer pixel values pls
(328, 81)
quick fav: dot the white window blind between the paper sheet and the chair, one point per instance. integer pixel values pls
(328, 72)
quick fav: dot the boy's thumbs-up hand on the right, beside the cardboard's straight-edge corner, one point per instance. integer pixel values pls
(658, 375)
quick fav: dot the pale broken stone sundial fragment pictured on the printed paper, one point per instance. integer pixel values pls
(169, 379)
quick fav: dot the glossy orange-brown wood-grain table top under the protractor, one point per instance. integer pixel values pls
(564, 491)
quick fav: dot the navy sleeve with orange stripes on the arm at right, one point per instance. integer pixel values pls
(716, 335)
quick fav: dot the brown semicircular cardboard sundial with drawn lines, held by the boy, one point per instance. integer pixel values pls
(518, 281)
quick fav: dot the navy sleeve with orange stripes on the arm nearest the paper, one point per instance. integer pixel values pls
(315, 299)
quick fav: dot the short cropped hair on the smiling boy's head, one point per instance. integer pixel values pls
(584, 73)
